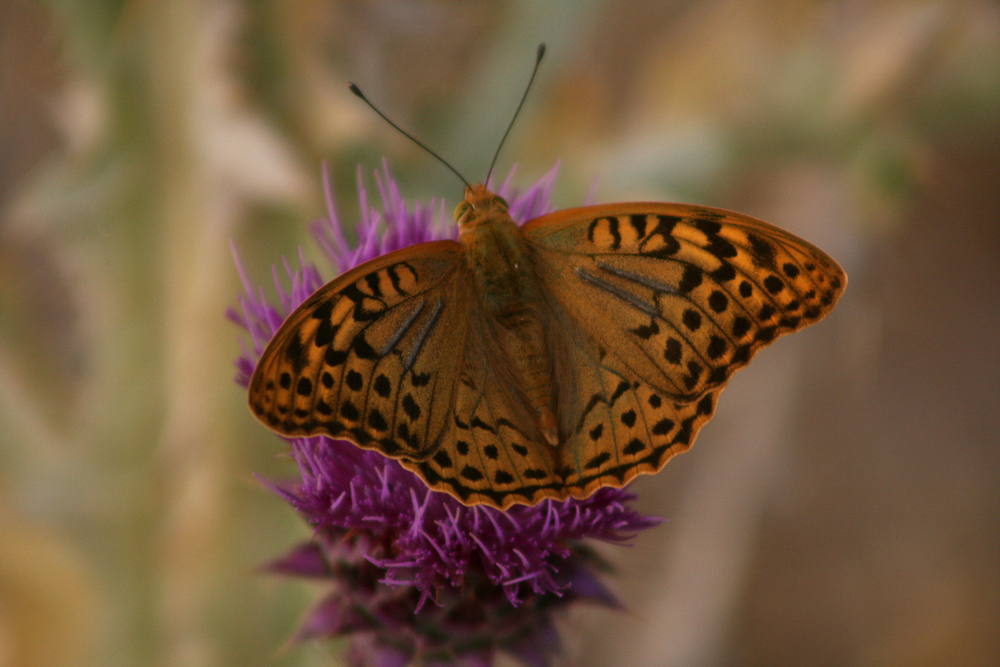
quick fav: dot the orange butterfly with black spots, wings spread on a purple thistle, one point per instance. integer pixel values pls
(548, 360)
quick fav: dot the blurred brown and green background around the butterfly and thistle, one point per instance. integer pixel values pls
(841, 509)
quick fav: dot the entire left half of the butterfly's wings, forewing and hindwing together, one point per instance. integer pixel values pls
(395, 355)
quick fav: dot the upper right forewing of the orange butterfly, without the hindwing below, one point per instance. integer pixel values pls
(683, 295)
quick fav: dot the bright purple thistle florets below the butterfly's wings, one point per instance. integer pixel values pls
(434, 538)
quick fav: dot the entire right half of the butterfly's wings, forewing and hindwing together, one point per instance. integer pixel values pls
(660, 304)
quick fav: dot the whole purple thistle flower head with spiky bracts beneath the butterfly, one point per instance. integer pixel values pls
(392, 545)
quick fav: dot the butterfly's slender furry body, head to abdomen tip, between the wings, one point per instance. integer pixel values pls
(509, 293)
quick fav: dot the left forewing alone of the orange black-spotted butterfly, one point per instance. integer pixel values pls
(363, 358)
